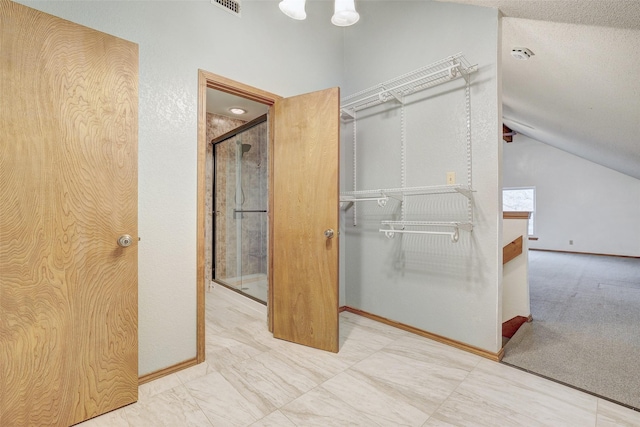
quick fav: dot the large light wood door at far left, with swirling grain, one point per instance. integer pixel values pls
(68, 174)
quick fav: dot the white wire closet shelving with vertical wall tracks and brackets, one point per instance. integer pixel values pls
(443, 71)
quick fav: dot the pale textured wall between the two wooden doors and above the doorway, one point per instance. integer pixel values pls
(264, 49)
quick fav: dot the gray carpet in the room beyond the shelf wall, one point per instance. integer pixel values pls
(586, 324)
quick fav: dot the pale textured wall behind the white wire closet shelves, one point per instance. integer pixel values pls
(451, 289)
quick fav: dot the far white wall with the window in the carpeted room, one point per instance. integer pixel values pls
(576, 199)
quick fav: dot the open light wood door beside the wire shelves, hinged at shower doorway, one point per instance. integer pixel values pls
(305, 203)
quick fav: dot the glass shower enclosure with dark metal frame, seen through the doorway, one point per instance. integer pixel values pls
(240, 209)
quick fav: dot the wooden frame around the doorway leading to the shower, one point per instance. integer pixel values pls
(223, 84)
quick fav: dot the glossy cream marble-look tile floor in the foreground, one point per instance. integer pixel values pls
(382, 376)
